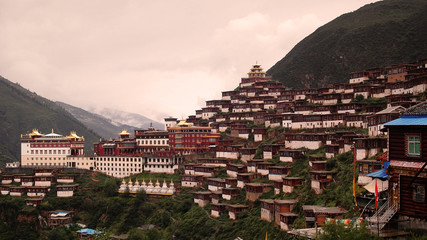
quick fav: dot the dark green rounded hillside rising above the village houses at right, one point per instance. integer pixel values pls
(376, 35)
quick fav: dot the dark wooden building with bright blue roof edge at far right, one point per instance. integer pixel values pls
(407, 138)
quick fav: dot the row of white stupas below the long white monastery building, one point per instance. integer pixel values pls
(148, 188)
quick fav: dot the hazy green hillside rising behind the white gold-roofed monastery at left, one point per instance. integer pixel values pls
(22, 110)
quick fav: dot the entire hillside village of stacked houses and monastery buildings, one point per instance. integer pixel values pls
(252, 145)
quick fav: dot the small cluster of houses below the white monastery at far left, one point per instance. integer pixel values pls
(36, 186)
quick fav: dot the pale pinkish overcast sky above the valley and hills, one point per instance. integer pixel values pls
(155, 58)
